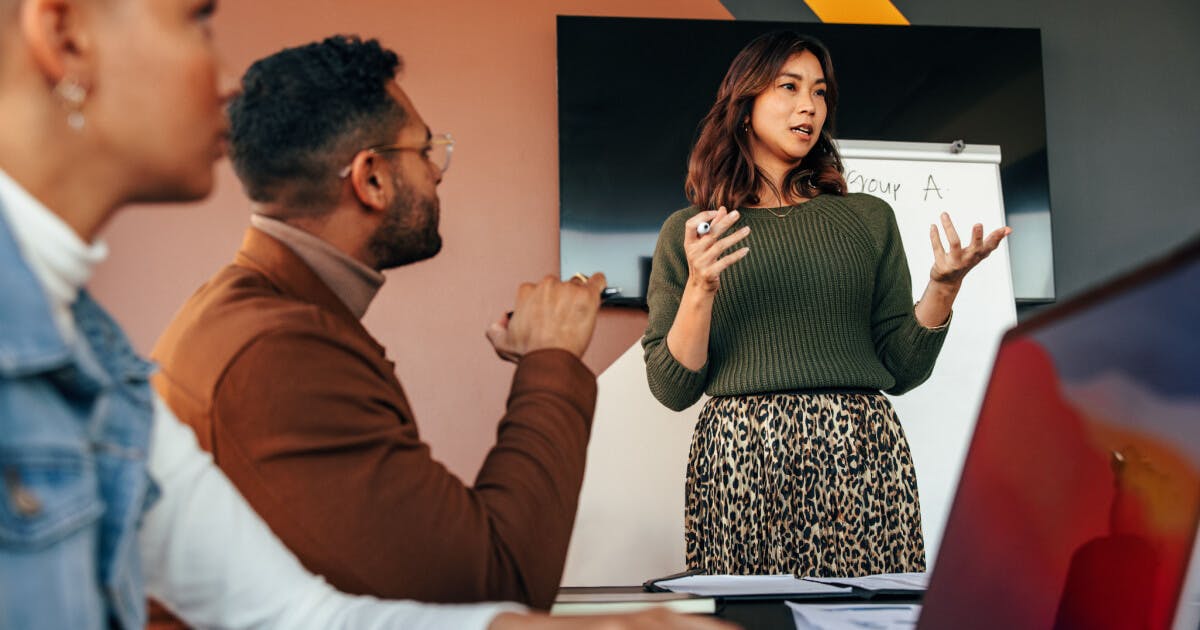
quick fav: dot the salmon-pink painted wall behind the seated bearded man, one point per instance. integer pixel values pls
(481, 70)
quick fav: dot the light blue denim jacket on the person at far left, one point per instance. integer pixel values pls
(75, 433)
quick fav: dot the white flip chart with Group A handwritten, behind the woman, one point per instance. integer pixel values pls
(921, 181)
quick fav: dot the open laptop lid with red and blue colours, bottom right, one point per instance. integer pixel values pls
(1081, 495)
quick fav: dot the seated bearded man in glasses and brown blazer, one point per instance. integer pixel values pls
(299, 405)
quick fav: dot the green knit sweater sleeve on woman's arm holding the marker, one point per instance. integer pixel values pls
(671, 383)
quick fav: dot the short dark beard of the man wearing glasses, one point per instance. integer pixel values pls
(409, 233)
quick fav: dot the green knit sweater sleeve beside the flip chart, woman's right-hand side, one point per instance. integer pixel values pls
(907, 349)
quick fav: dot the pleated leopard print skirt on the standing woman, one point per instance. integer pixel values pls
(805, 484)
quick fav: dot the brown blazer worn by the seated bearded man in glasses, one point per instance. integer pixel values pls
(302, 410)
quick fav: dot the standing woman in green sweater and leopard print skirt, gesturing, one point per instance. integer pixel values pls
(794, 311)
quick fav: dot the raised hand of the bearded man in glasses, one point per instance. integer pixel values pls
(549, 315)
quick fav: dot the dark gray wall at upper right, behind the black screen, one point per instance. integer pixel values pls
(1123, 88)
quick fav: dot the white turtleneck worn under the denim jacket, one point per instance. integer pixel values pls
(206, 554)
